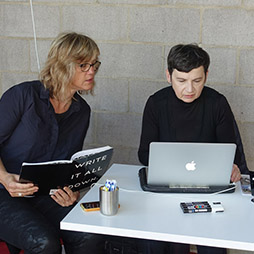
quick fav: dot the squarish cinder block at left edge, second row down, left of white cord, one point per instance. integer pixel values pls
(14, 55)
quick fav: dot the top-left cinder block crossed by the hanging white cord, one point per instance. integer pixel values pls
(17, 20)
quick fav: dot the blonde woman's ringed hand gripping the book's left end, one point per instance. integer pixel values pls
(17, 189)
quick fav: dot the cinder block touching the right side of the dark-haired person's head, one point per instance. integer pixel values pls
(223, 64)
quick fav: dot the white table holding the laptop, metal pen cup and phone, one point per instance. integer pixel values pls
(159, 216)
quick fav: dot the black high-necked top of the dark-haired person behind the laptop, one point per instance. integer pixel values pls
(168, 119)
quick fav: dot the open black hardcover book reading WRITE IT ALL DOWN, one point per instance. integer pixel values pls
(81, 171)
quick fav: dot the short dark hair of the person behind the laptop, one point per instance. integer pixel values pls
(187, 57)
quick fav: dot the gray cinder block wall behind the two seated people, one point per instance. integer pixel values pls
(134, 37)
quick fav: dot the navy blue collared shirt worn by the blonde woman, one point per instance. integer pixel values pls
(30, 131)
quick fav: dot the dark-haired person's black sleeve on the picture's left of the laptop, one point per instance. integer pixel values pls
(150, 131)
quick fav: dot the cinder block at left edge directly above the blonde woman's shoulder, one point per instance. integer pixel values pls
(10, 79)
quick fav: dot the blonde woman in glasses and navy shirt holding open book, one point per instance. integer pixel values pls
(45, 120)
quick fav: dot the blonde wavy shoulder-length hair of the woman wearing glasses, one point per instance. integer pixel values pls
(66, 51)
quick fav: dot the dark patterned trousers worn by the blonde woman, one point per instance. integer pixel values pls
(33, 225)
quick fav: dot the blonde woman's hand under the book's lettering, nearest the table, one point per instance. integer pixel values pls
(65, 197)
